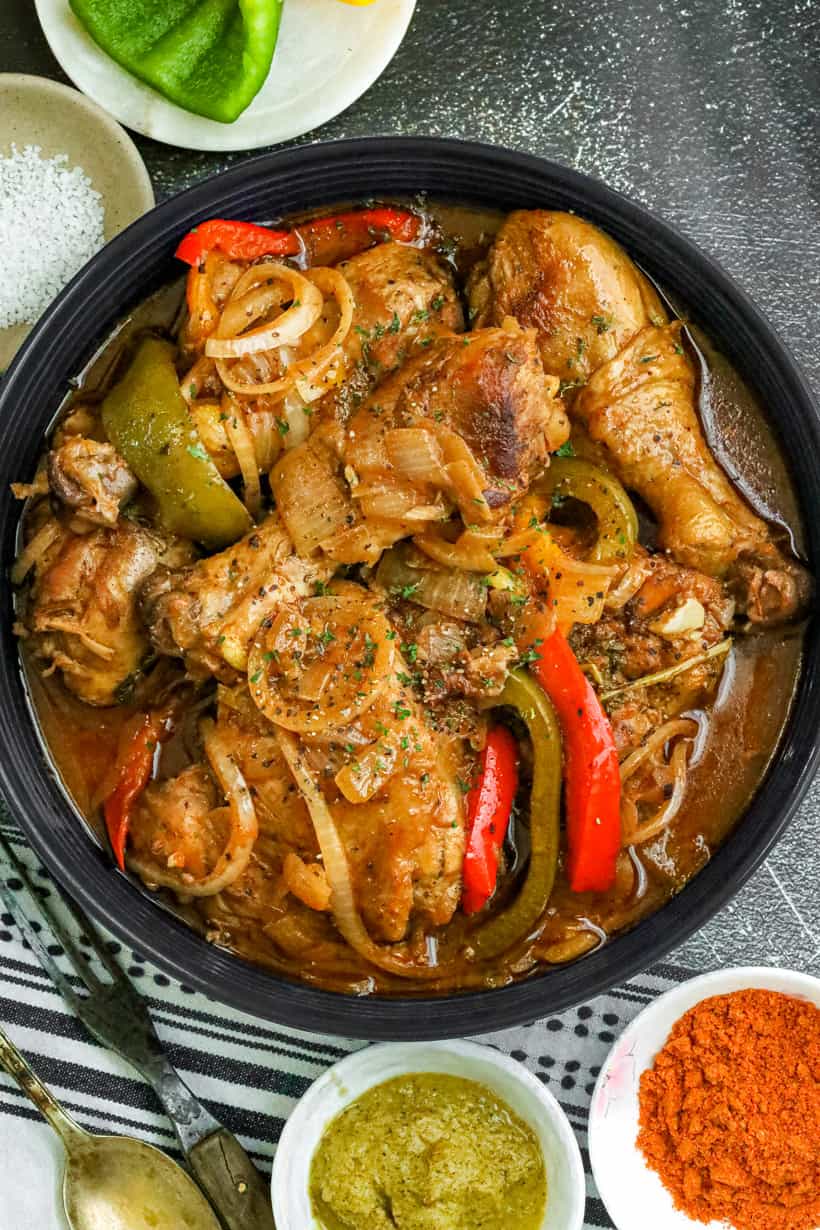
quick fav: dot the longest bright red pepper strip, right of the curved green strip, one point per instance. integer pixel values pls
(591, 766)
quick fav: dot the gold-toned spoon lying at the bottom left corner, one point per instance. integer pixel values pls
(114, 1183)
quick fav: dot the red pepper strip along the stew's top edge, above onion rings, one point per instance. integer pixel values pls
(326, 240)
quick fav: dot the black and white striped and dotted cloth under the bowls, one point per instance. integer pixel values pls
(250, 1074)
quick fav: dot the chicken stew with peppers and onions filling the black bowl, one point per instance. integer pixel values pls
(388, 606)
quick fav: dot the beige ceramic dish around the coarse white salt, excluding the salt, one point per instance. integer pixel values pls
(35, 111)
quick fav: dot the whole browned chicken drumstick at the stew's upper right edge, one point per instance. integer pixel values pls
(604, 333)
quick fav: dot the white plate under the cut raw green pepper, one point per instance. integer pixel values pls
(329, 54)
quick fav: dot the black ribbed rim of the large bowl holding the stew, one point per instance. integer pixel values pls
(171, 945)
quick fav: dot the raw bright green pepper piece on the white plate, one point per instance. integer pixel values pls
(211, 57)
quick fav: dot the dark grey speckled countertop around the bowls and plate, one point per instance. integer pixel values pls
(706, 111)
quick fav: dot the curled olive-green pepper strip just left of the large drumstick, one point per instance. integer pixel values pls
(618, 522)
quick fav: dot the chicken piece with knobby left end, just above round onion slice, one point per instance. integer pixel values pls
(210, 613)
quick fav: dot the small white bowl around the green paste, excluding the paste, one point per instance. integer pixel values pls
(365, 1069)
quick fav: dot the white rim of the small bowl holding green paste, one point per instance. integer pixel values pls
(345, 1071)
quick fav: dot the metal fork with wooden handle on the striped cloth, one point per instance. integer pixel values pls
(117, 1017)
